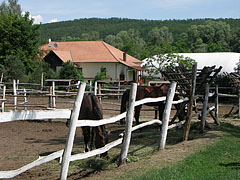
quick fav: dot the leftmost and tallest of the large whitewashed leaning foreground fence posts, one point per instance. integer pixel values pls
(71, 132)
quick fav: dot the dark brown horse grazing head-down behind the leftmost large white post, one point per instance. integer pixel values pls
(92, 109)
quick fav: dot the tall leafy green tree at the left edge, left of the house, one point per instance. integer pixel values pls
(19, 38)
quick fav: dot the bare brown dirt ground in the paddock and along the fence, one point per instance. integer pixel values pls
(22, 142)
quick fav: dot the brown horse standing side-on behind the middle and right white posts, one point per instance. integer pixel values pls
(148, 92)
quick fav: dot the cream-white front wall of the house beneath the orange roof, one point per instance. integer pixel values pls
(114, 70)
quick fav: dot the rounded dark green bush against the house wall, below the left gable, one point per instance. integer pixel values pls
(70, 71)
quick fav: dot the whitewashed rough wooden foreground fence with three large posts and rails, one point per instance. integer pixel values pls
(74, 123)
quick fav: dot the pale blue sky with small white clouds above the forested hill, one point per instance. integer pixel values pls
(46, 11)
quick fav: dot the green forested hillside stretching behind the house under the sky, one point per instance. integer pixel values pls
(143, 38)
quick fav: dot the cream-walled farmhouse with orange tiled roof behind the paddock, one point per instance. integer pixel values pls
(93, 57)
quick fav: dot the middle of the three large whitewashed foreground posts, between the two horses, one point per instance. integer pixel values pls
(128, 126)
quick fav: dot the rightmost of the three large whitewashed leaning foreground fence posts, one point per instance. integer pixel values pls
(166, 115)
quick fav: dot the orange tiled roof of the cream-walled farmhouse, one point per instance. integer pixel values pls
(89, 51)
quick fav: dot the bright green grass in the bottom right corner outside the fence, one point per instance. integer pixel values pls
(220, 161)
